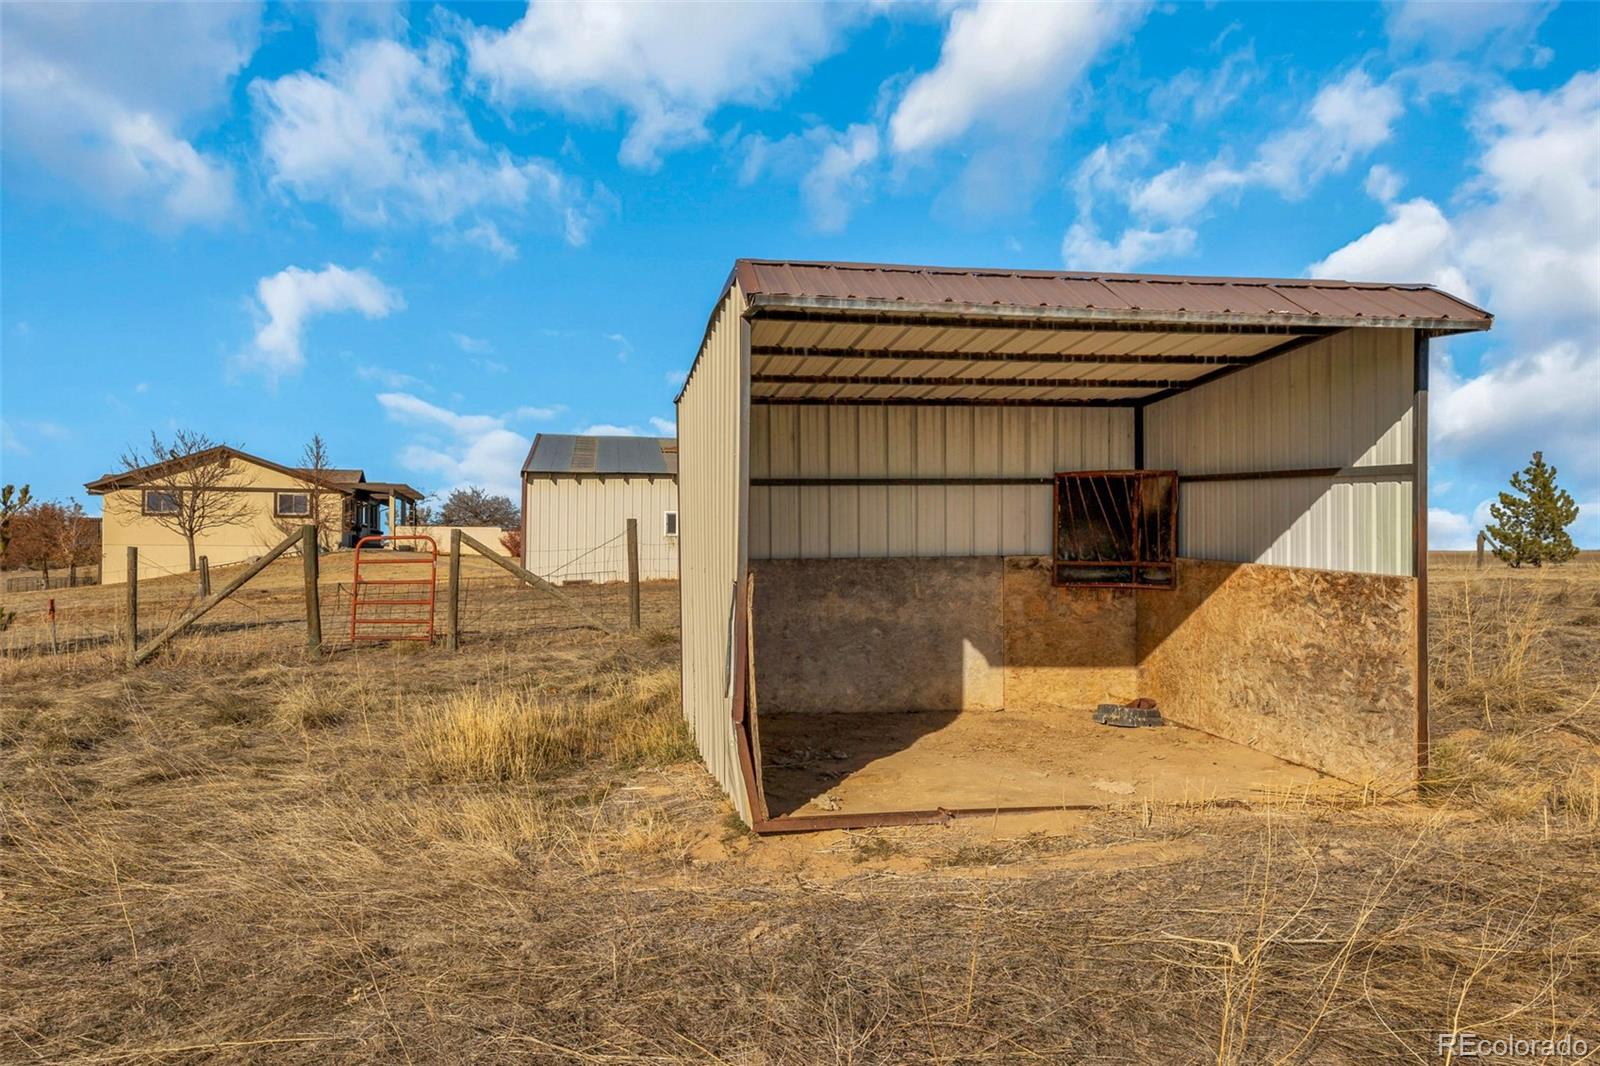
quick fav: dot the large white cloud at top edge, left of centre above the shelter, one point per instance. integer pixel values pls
(668, 68)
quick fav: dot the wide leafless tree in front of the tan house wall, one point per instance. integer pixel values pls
(193, 483)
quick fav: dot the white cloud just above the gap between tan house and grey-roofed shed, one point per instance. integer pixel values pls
(455, 449)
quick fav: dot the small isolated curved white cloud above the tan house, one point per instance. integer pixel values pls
(290, 299)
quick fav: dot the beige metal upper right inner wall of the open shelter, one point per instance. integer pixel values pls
(1343, 403)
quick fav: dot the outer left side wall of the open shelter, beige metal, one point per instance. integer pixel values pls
(713, 476)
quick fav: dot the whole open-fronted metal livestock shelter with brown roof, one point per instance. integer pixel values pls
(935, 518)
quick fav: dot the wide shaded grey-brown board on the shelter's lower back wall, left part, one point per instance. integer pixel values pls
(879, 635)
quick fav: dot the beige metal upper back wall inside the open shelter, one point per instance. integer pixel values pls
(881, 521)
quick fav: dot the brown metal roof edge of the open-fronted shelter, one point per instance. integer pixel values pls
(1122, 297)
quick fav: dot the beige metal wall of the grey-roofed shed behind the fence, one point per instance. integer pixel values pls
(577, 527)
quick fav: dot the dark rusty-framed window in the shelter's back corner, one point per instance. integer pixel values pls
(1118, 529)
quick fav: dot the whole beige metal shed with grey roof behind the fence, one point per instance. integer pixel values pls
(578, 494)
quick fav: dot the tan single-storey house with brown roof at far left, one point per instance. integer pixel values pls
(252, 505)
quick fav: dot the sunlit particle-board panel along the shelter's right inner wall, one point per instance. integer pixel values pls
(1313, 667)
